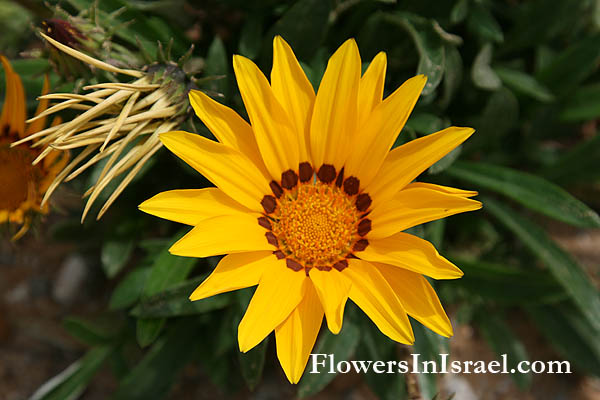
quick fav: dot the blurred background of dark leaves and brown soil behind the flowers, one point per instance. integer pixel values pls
(99, 309)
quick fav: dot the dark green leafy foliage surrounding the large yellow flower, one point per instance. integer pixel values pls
(524, 74)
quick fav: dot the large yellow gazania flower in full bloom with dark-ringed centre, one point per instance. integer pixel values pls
(311, 203)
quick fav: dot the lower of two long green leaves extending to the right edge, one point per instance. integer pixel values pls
(566, 271)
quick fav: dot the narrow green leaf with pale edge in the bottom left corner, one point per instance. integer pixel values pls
(70, 384)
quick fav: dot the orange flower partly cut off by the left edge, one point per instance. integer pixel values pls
(22, 184)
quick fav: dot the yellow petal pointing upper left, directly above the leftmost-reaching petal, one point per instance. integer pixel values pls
(227, 168)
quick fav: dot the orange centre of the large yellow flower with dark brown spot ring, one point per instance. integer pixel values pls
(316, 222)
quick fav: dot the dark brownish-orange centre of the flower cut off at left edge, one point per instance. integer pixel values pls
(16, 173)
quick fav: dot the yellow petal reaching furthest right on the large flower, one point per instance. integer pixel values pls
(416, 205)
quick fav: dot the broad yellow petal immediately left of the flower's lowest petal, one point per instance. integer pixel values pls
(279, 291)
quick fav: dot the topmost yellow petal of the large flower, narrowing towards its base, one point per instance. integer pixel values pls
(293, 91)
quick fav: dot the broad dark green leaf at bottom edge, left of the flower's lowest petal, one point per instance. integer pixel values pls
(155, 374)
